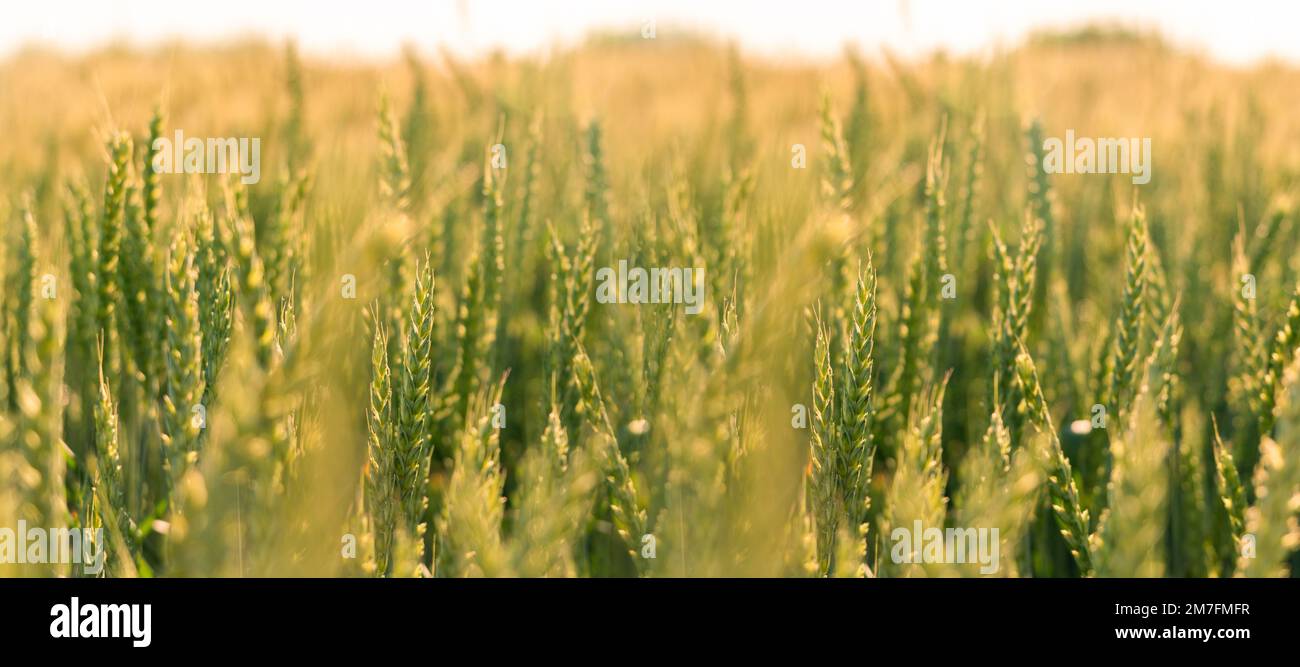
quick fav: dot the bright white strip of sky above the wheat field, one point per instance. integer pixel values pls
(1238, 32)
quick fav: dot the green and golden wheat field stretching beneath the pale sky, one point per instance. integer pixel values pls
(392, 354)
